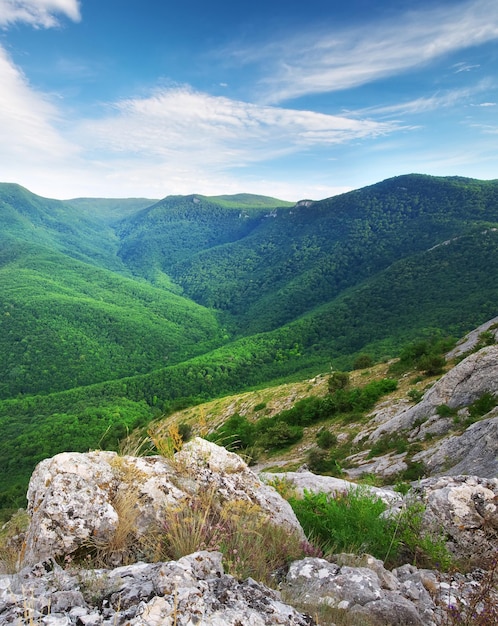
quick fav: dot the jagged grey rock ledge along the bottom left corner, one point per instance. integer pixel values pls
(192, 590)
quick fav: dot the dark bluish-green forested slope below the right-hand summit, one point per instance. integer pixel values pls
(266, 268)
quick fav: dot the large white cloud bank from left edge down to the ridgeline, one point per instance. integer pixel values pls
(175, 141)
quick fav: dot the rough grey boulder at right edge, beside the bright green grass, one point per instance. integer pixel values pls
(465, 509)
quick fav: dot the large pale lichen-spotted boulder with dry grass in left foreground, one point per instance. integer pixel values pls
(79, 499)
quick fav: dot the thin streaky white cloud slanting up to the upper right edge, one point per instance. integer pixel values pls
(336, 60)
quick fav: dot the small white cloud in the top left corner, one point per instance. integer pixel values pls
(38, 13)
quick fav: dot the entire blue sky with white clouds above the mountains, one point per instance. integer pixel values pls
(119, 98)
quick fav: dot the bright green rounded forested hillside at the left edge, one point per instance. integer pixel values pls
(64, 323)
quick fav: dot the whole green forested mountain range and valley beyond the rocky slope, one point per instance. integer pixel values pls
(112, 311)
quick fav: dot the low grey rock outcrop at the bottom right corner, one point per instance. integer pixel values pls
(360, 585)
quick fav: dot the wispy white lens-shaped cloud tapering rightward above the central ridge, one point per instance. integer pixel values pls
(180, 123)
